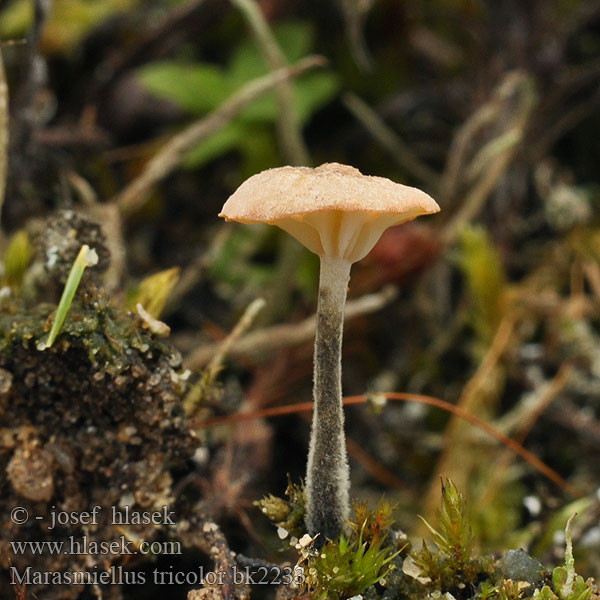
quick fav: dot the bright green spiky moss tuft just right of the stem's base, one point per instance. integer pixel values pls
(348, 566)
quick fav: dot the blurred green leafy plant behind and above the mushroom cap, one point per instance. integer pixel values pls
(199, 88)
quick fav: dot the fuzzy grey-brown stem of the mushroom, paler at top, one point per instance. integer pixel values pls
(327, 474)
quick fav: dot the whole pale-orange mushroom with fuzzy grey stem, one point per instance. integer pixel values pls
(338, 213)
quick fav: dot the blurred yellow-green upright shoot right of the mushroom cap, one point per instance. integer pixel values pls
(486, 279)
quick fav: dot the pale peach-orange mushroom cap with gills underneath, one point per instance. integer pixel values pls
(333, 210)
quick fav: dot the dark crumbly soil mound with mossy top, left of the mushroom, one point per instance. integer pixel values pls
(96, 419)
